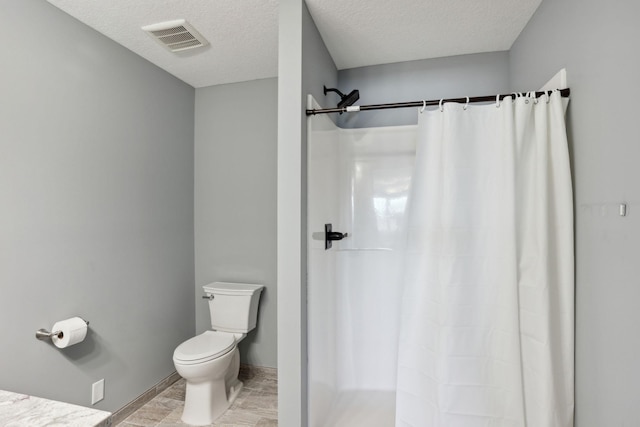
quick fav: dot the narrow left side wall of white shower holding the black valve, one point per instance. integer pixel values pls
(321, 289)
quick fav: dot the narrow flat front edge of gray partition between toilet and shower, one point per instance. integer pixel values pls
(291, 335)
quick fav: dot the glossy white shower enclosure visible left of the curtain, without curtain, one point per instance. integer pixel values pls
(358, 181)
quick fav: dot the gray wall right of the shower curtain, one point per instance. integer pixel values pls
(597, 42)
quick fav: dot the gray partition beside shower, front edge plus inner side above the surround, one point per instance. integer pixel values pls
(304, 65)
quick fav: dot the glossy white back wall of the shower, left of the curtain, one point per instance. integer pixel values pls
(375, 167)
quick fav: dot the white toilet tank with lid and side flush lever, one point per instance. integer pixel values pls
(234, 306)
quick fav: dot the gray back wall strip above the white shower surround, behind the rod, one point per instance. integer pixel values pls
(451, 77)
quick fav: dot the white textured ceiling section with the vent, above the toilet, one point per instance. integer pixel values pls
(243, 35)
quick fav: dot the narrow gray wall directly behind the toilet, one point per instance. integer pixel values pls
(235, 202)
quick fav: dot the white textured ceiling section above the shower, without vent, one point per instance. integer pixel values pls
(359, 33)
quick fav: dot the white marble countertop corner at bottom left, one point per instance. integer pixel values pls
(20, 410)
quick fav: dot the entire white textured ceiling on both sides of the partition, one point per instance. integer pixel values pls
(243, 35)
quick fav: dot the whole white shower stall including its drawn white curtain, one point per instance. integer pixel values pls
(446, 297)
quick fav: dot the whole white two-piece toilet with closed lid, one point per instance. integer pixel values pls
(210, 362)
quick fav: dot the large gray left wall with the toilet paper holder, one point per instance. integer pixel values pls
(96, 184)
